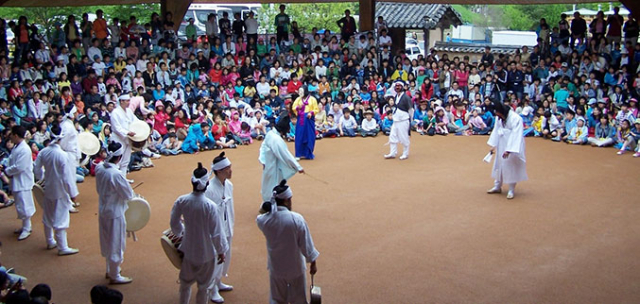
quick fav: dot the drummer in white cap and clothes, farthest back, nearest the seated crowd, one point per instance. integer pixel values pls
(121, 118)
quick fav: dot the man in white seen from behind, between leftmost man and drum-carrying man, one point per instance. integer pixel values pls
(51, 164)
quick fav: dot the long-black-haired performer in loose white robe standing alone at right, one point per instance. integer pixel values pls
(507, 142)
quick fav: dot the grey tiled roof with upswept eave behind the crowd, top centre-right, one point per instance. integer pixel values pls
(416, 15)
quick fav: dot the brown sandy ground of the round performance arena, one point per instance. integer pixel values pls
(416, 231)
